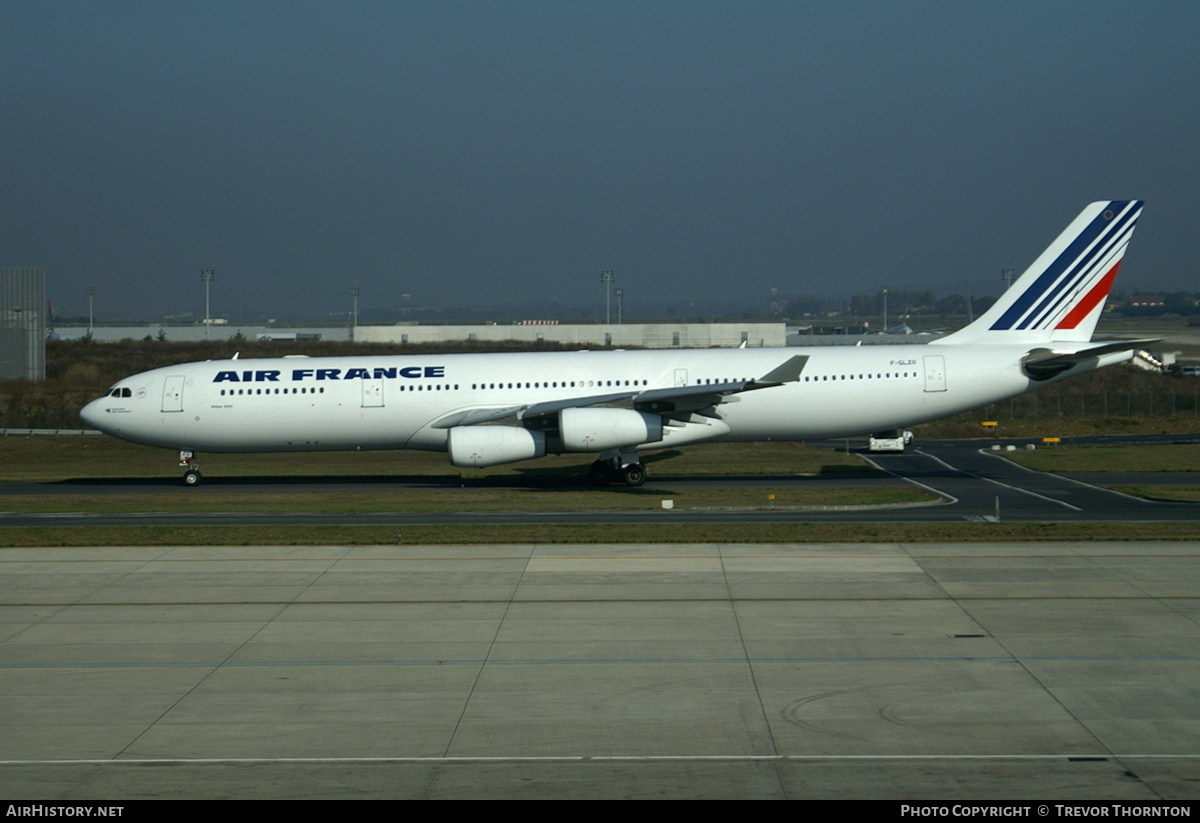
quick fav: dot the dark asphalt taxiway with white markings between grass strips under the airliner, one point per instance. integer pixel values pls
(975, 484)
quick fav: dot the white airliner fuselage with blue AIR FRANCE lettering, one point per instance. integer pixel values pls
(393, 403)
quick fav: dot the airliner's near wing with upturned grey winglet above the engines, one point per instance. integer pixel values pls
(675, 401)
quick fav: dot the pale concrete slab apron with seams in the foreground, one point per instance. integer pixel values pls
(1030, 671)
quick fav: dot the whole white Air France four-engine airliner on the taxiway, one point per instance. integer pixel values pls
(487, 410)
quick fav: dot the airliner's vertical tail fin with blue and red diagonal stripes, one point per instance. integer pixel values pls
(1061, 296)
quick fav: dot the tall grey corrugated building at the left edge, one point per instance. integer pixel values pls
(23, 325)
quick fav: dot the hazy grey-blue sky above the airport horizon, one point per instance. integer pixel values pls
(473, 153)
